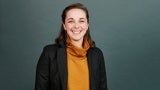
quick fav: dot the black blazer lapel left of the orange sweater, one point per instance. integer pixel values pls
(62, 66)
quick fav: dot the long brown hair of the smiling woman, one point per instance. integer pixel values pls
(63, 33)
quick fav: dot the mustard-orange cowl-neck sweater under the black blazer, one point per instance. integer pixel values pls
(78, 74)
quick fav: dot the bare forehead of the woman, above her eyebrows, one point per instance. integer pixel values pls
(76, 13)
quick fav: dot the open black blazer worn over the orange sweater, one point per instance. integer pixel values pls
(51, 73)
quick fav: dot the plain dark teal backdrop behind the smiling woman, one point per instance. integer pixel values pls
(127, 31)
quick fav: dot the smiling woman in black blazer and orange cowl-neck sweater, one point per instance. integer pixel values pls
(73, 63)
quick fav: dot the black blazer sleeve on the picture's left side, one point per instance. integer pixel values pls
(42, 71)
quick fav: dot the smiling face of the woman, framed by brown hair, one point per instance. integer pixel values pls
(76, 24)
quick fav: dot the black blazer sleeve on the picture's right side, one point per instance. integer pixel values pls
(103, 77)
